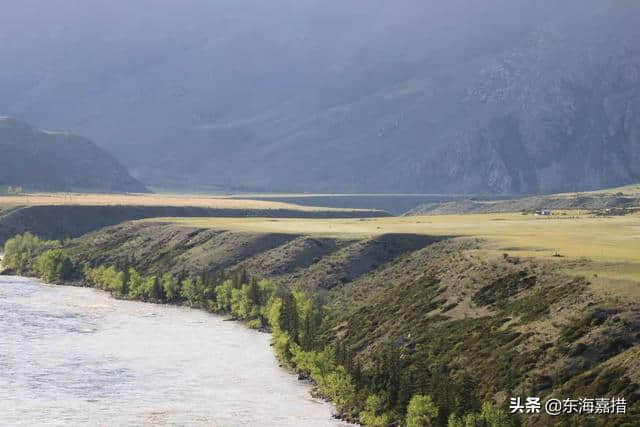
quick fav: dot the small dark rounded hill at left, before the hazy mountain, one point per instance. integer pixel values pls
(47, 161)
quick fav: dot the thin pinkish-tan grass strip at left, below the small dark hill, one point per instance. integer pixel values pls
(219, 202)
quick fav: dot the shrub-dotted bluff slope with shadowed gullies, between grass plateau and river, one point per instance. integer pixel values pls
(401, 315)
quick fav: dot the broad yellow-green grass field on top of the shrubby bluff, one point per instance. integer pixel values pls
(607, 246)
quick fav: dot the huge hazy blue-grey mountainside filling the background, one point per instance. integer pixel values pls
(508, 96)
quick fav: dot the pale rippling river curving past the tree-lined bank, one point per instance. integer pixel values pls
(75, 356)
